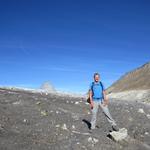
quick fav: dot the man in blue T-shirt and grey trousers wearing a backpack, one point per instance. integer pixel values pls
(98, 98)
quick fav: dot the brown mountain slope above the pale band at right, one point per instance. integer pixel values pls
(138, 79)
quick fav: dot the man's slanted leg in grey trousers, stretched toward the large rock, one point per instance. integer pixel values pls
(108, 115)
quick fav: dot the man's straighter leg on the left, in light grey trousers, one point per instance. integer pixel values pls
(94, 115)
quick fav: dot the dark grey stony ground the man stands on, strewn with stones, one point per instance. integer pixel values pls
(42, 121)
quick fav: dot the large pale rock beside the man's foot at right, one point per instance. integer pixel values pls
(119, 135)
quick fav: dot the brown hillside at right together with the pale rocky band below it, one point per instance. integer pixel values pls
(134, 85)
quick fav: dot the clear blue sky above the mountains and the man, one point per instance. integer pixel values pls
(66, 41)
